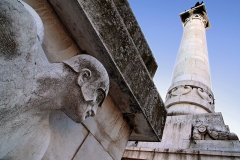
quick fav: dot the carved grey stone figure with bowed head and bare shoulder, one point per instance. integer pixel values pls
(31, 87)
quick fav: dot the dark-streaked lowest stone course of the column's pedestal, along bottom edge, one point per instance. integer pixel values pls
(173, 154)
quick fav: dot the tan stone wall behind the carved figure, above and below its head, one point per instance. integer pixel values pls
(102, 137)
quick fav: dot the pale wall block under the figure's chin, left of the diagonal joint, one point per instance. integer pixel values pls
(66, 137)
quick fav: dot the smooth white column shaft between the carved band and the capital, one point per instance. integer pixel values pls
(193, 42)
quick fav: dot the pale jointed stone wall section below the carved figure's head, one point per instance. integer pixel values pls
(101, 137)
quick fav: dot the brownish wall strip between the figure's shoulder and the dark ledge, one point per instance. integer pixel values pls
(58, 44)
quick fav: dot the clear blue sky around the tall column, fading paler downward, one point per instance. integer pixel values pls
(162, 28)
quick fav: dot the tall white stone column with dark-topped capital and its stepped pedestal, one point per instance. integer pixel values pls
(193, 129)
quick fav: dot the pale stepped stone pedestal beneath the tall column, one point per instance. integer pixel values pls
(182, 141)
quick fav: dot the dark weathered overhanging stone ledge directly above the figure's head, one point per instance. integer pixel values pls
(98, 28)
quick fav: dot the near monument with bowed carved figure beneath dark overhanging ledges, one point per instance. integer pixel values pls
(57, 60)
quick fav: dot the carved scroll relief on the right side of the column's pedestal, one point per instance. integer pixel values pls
(201, 131)
